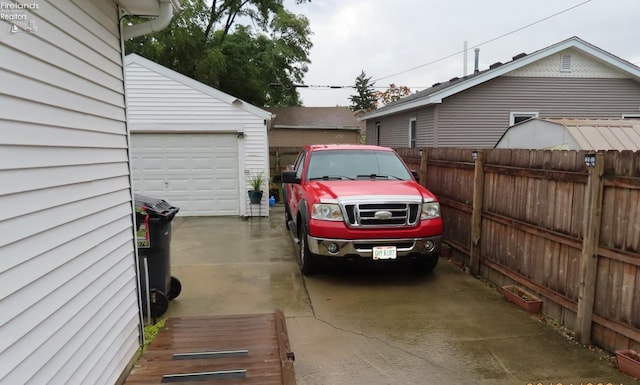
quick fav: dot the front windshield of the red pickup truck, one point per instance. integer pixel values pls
(356, 164)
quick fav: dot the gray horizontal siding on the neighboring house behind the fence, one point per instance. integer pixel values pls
(478, 117)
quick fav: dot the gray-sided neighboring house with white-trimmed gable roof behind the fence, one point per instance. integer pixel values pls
(569, 79)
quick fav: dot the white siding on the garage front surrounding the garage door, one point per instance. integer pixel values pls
(163, 101)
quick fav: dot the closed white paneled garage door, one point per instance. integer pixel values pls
(196, 172)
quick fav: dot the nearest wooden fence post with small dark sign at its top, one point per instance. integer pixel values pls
(590, 243)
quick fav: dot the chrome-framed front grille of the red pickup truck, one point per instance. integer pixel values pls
(382, 214)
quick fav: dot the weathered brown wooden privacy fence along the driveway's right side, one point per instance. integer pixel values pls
(547, 222)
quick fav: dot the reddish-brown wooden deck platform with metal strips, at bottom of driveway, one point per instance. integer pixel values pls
(221, 350)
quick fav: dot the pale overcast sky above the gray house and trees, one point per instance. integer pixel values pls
(385, 37)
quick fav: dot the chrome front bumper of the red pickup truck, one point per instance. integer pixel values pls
(364, 247)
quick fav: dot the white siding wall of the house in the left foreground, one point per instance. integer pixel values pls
(69, 295)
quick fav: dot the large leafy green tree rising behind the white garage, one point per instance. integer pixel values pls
(207, 43)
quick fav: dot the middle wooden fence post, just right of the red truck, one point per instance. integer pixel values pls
(476, 214)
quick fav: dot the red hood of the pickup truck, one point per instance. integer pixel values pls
(344, 189)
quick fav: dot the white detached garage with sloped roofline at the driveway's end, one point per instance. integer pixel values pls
(191, 144)
